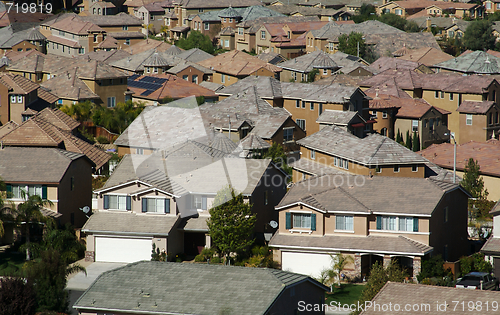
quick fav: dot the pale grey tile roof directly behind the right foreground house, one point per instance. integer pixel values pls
(371, 150)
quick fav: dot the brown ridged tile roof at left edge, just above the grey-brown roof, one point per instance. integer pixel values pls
(53, 129)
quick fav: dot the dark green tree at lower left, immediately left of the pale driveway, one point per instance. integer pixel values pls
(49, 280)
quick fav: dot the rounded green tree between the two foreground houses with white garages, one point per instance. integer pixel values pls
(231, 225)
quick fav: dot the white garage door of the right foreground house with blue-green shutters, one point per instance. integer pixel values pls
(305, 263)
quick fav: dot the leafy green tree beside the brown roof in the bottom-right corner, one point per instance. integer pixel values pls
(378, 278)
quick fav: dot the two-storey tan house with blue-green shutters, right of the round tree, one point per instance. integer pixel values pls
(352, 215)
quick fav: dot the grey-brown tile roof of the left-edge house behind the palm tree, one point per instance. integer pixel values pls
(35, 165)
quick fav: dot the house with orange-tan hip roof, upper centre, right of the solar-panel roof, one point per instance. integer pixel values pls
(235, 65)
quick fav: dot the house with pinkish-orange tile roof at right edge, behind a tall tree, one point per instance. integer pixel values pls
(484, 153)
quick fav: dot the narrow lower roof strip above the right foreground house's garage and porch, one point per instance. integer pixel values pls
(367, 244)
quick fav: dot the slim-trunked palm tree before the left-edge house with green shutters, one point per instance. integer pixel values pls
(28, 213)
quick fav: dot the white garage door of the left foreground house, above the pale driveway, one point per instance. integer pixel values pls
(115, 249)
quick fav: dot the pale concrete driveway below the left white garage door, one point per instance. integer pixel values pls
(78, 283)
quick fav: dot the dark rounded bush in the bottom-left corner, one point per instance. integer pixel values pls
(17, 296)
